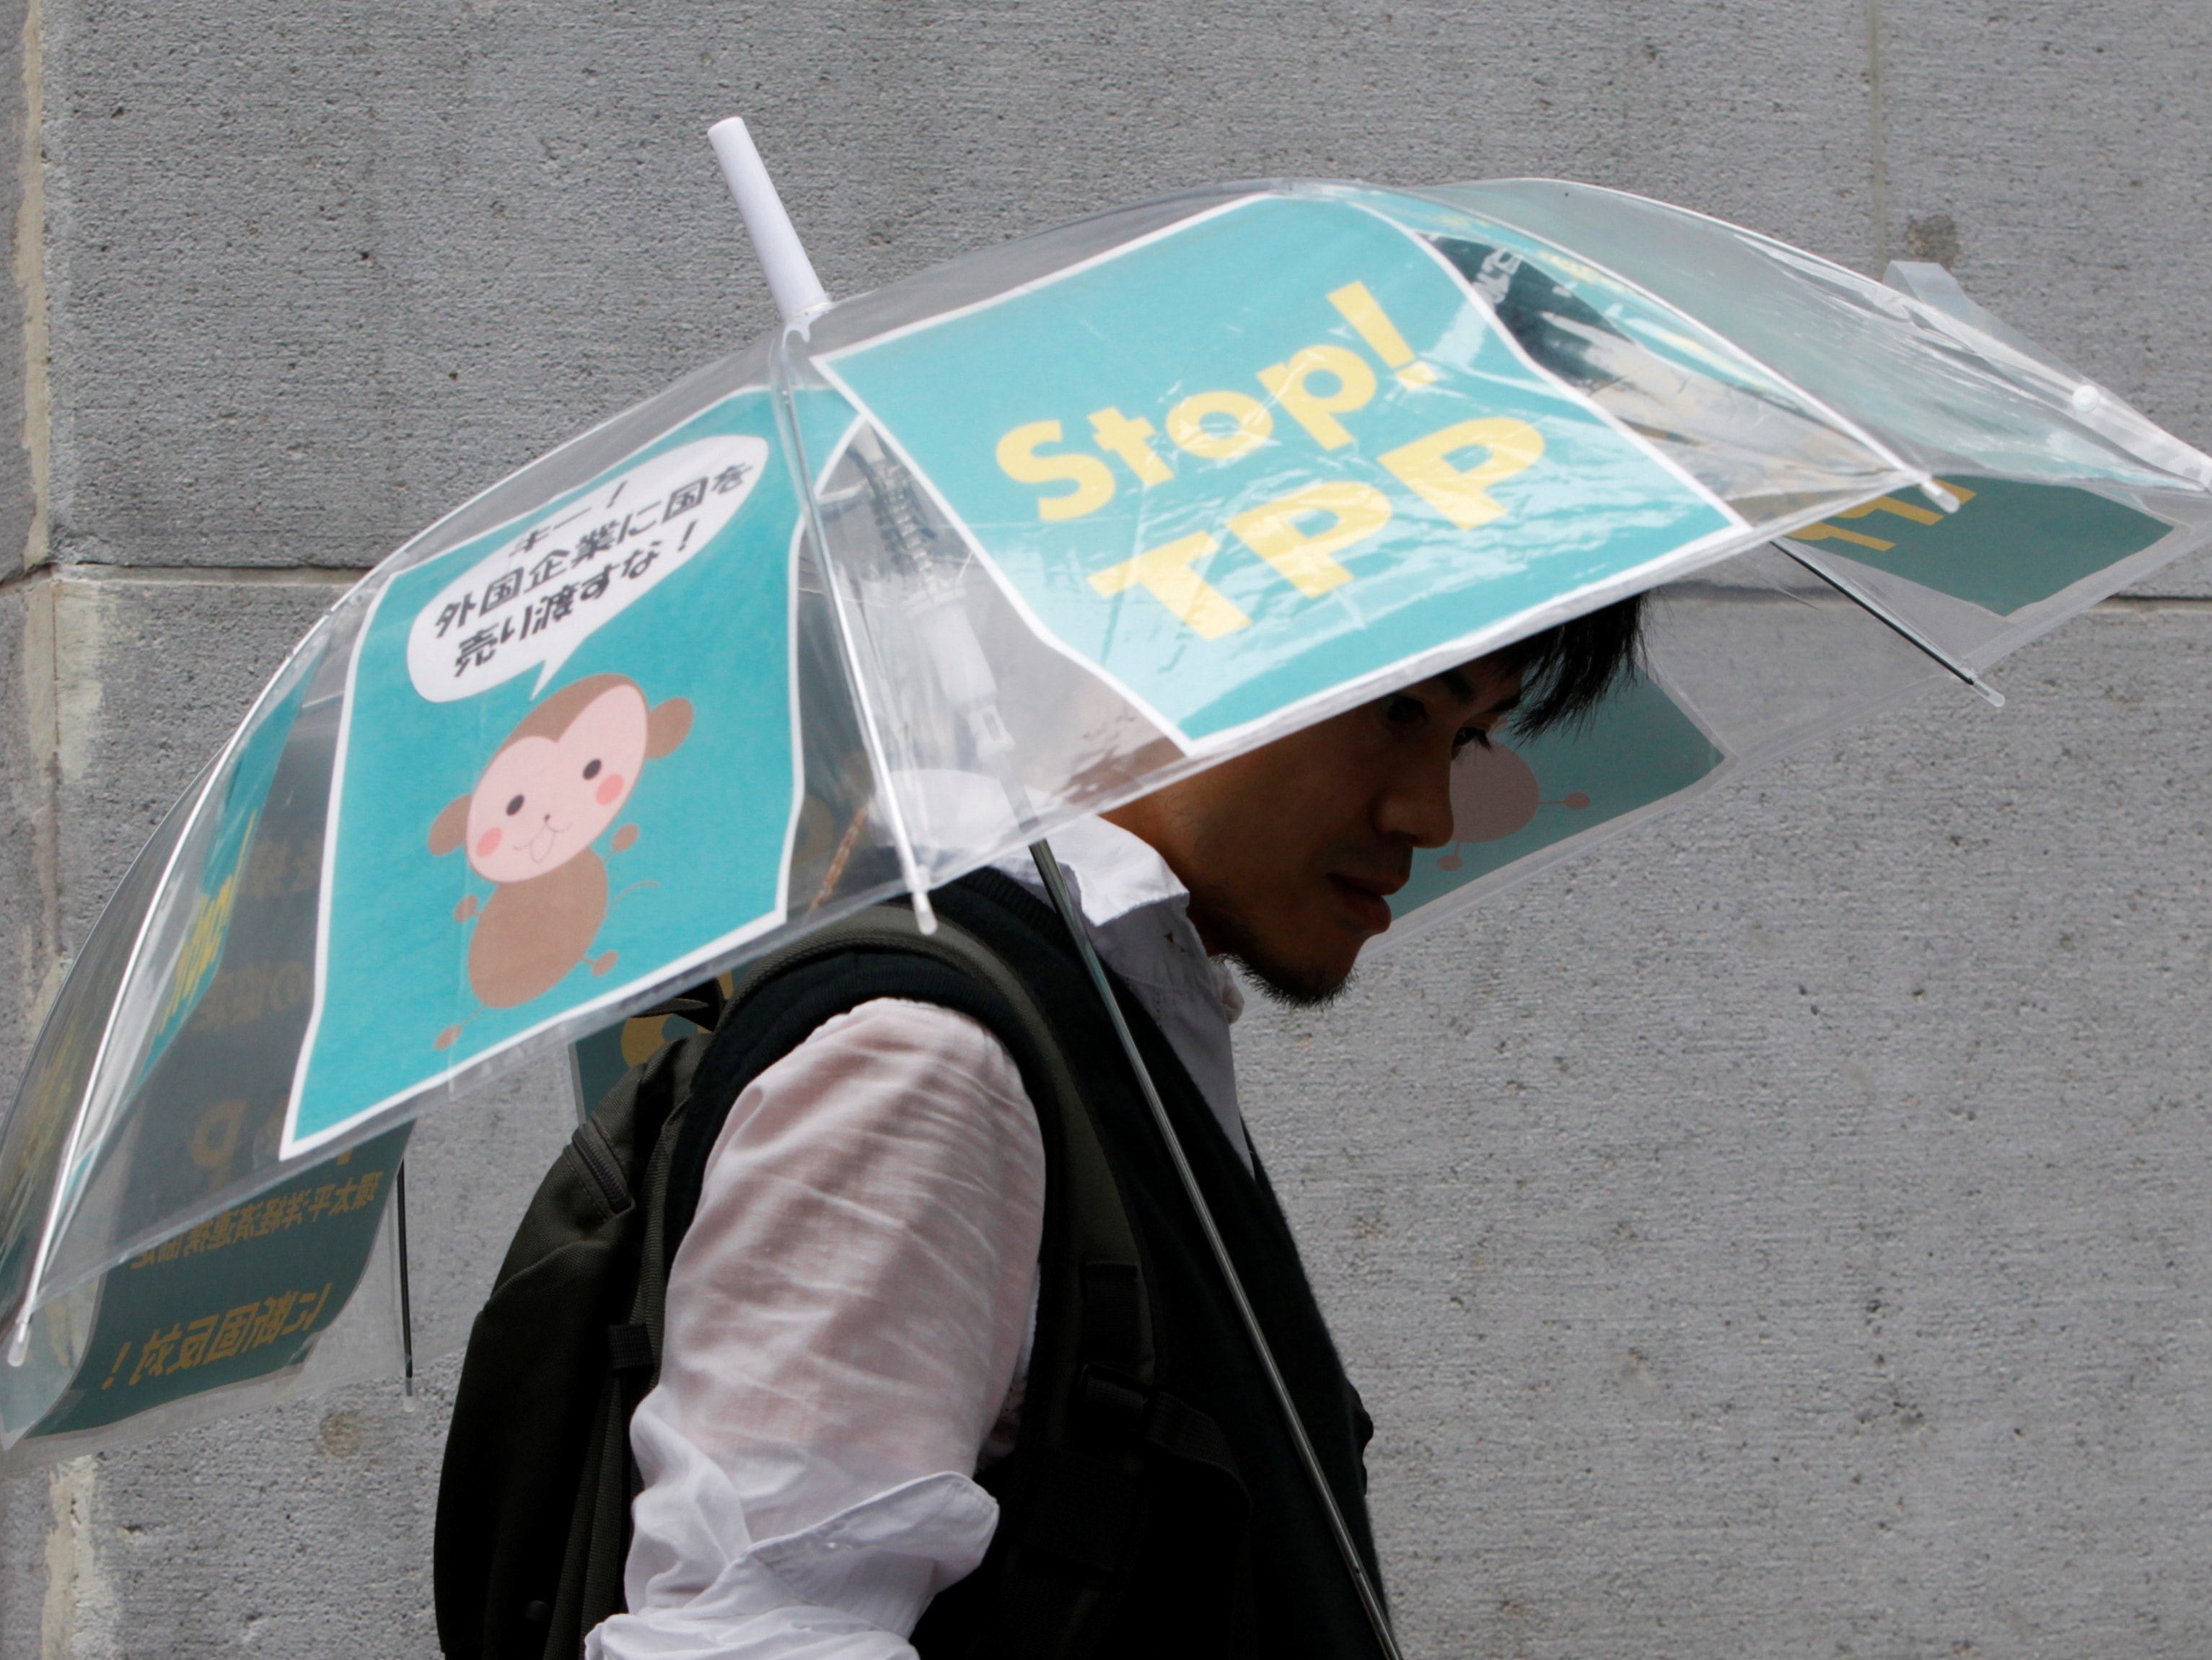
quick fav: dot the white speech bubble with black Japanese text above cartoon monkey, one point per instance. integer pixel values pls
(534, 601)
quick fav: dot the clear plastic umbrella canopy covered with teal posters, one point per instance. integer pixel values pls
(1021, 539)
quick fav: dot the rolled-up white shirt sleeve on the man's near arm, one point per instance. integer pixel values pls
(846, 1318)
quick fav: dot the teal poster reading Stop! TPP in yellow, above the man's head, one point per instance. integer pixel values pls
(1266, 455)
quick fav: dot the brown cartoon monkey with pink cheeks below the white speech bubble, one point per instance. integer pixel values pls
(556, 782)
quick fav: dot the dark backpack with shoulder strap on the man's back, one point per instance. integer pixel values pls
(534, 1500)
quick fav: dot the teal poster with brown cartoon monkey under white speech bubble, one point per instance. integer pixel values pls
(567, 767)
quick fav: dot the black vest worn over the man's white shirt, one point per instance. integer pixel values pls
(1156, 1504)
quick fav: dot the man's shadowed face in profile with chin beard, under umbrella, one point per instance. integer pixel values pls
(1291, 851)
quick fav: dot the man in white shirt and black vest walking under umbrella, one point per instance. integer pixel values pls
(857, 1303)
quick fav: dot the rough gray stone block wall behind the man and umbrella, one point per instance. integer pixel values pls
(1780, 1234)
